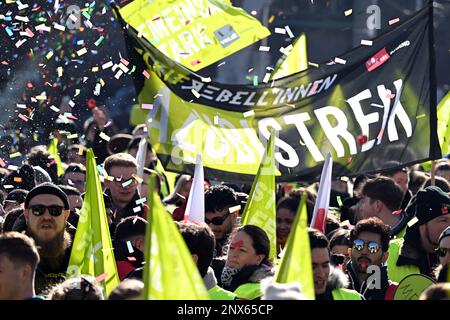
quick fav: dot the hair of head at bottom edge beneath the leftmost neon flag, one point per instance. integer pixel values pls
(77, 288)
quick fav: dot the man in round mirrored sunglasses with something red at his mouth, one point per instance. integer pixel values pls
(366, 269)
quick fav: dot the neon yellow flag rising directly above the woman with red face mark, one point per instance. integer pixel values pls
(260, 209)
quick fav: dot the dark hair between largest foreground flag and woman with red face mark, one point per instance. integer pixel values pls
(201, 241)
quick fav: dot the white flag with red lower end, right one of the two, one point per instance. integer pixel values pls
(319, 219)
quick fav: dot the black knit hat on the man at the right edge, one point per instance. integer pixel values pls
(431, 203)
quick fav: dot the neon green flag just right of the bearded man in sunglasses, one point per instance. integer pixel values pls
(92, 251)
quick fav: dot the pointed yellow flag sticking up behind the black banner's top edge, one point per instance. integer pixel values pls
(295, 61)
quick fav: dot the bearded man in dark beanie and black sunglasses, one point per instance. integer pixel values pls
(46, 212)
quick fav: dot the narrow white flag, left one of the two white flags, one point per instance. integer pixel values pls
(195, 208)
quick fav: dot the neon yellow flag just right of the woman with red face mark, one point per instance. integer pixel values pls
(296, 263)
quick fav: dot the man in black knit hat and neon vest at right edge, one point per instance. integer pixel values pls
(416, 252)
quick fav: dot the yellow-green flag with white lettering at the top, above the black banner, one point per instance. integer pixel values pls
(195, 33)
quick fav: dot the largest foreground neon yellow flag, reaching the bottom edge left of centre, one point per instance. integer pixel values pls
(169, 270)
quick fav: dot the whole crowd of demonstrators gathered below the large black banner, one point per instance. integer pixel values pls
(397, 221)
